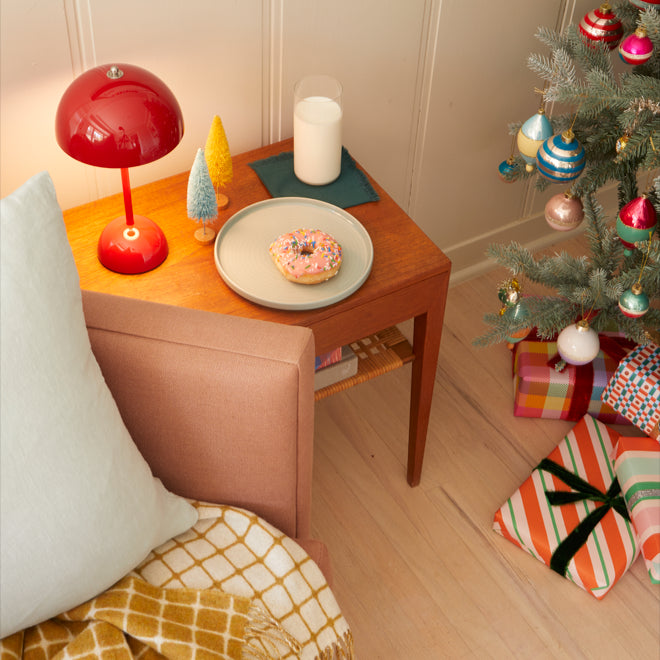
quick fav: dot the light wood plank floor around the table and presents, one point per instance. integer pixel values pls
(419, 573)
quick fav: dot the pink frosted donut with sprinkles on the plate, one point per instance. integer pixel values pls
(306, 256)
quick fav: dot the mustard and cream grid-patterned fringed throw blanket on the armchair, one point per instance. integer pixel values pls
(232, 587)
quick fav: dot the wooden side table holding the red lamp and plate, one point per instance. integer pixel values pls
(409, 278)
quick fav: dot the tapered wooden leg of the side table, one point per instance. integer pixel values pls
(426, 345)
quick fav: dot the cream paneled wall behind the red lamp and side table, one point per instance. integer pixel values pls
(429, 86)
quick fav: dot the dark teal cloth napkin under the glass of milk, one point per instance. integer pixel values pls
(349, 189)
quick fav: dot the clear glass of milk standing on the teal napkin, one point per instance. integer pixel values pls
(317, 113)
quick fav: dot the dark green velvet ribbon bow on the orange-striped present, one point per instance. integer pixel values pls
(583, 490)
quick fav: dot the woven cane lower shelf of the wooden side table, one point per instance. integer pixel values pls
(377, 354)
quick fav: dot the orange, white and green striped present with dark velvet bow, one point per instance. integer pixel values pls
(570, 513)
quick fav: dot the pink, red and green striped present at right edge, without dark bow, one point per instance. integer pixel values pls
(637, 467)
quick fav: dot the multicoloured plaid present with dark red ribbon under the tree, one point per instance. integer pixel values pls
(541, 389)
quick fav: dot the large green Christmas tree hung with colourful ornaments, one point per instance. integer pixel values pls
(616, 119)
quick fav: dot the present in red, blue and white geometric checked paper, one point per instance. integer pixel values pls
(634, 389)
